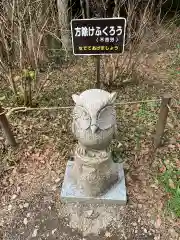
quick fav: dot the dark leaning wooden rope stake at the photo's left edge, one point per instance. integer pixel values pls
(6, 128)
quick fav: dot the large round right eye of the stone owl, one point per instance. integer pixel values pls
(107, 117)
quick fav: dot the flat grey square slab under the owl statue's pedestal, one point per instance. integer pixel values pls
(115, 195)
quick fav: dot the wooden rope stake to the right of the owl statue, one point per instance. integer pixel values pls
(161, 124)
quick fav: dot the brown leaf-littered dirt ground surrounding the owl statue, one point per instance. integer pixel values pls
(32, 175)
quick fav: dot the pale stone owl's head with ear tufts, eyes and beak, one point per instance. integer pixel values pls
(94, 110)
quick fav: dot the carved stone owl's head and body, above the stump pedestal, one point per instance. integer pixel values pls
(94, 119)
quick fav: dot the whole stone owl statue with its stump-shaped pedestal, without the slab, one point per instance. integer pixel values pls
(94, 126)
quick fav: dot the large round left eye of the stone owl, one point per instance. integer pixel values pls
(81, 117)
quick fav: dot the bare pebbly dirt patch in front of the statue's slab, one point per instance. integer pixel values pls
(47, 218)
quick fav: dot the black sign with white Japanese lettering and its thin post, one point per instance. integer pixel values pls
(98, 36)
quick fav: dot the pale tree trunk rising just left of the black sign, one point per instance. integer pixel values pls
(64, 24)
